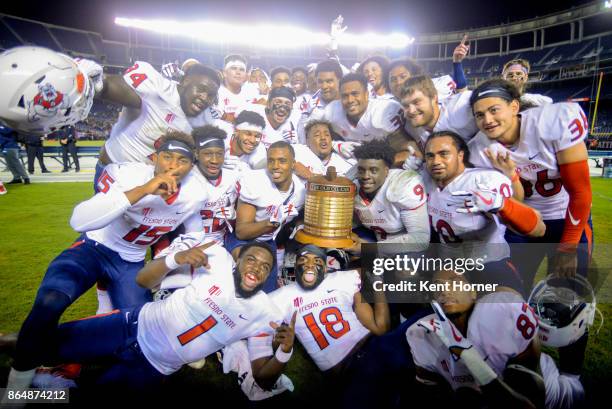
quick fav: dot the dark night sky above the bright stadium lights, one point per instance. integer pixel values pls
(411, 16)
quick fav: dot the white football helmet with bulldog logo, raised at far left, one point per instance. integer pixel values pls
(42, 90)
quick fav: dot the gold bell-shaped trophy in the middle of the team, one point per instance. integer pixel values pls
(328, 212)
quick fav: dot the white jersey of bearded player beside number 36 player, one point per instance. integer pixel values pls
(455, 115)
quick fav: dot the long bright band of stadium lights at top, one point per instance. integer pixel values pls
(263, 35)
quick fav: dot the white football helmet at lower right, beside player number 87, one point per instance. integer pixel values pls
(565, 308)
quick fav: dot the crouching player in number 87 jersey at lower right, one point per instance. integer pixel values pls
(486, 350)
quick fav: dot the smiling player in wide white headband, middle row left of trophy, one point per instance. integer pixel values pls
(244, 149)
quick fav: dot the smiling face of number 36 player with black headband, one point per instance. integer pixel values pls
(498, 119)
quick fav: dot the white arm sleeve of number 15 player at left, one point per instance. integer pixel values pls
(105, 206)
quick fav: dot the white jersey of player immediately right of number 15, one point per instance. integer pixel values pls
(218, 210)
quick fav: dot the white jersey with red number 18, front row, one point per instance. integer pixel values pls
(326, 324)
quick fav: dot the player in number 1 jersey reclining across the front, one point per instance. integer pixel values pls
(148, 342)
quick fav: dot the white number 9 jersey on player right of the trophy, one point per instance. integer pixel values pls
(403, 190)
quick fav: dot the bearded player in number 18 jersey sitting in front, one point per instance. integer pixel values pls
(343, 333)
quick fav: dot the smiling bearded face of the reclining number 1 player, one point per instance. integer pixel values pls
(252, 269)
